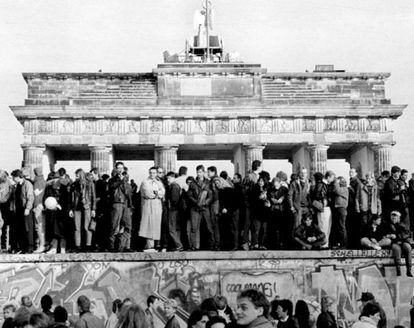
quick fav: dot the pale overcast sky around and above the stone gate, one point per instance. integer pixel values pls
(130, 36)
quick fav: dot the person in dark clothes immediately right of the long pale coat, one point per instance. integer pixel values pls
(173, 197)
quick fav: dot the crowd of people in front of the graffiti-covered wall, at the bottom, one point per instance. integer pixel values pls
(253, 310)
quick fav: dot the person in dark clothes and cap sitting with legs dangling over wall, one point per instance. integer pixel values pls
(400, 242)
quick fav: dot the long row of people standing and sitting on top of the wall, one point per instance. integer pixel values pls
(176, 212)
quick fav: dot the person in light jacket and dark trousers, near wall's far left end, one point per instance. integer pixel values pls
(24, 198)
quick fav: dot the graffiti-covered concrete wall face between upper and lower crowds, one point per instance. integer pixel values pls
(192, 281)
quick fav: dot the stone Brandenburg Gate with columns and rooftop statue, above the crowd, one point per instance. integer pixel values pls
(209, 105)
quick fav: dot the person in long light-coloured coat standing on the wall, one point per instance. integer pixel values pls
(152, 192)
